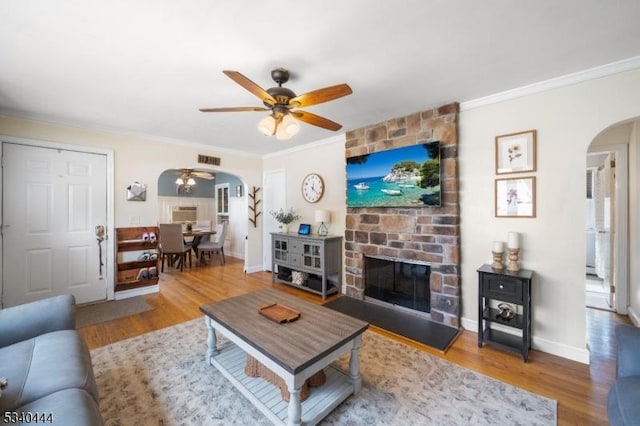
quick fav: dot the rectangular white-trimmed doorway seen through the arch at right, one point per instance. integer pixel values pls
(606, 228)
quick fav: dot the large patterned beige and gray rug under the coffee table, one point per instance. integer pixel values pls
(161, 378)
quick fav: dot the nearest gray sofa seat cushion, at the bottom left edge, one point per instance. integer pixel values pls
(68, 407)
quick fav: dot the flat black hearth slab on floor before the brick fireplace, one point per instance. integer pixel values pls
(430, 333)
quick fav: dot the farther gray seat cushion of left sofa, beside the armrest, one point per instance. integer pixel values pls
(44, 365)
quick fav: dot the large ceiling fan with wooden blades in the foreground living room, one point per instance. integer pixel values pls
(283, 104)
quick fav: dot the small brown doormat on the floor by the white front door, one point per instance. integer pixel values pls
(107, 311)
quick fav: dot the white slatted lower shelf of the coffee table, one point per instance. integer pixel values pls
(231, 360)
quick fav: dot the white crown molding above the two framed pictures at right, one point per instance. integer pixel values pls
(554, 83)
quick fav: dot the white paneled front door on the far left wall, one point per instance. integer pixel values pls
(52, 200)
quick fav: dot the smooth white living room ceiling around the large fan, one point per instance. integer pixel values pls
(146, 66)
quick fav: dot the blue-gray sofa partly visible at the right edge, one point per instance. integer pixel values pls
(623, 405)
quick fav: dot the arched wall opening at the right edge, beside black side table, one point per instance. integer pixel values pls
(611, 225)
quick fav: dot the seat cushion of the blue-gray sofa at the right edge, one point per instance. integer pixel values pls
(622, 405)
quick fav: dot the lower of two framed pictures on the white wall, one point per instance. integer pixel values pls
(515, 197)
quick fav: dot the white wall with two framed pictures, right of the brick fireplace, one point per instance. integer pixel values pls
(553, 244)
